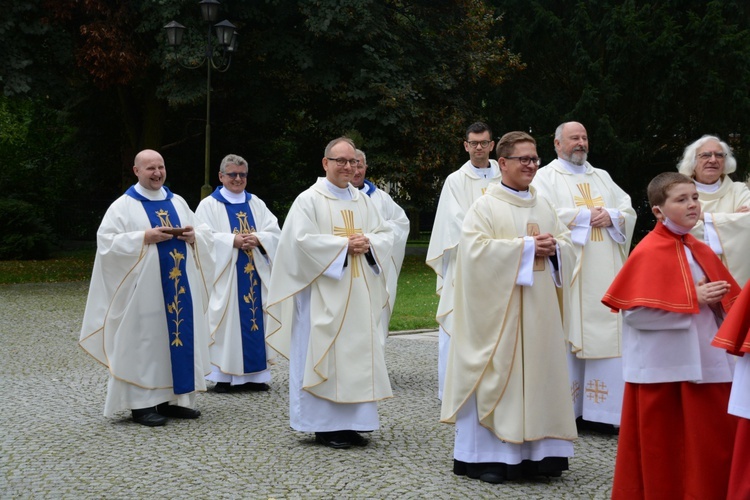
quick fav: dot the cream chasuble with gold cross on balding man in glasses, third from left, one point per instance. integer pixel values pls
(345, 360)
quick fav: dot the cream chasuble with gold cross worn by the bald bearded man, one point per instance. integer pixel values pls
(595, 332)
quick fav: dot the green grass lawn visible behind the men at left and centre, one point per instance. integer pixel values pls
(416, 302)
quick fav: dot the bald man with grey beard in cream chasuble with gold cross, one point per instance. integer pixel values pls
(601, 218)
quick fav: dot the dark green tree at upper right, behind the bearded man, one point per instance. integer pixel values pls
(645, 78)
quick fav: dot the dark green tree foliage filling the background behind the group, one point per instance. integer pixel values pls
(88, 84)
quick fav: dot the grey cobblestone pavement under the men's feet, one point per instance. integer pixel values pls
(55, 443)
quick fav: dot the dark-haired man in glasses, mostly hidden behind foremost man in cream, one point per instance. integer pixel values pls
(459, 191)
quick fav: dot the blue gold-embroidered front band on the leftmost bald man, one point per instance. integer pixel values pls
(178, 303)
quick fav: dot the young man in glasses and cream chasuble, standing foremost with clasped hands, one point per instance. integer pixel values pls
(506, 384)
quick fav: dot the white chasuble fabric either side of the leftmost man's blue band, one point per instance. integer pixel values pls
(124, 325)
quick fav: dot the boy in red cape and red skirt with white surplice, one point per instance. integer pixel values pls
(676, 437)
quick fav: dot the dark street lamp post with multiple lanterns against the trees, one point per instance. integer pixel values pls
(217, 56)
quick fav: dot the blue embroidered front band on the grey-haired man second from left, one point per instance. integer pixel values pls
(241, 221)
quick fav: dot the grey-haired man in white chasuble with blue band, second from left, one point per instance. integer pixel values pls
(246, 235)
